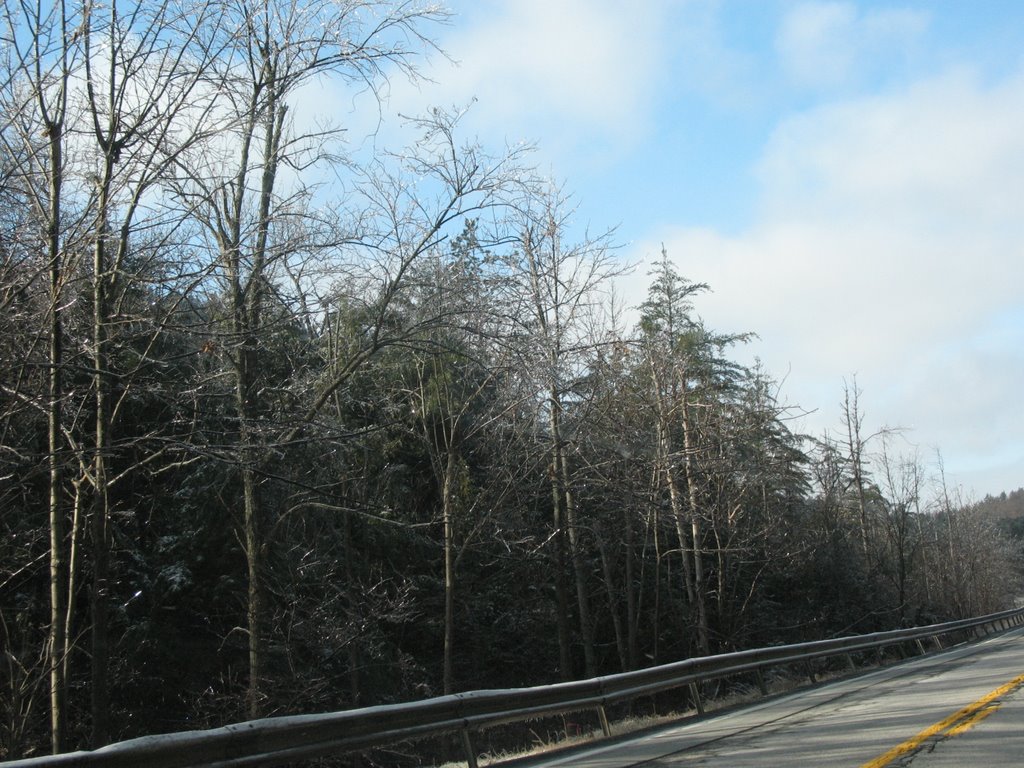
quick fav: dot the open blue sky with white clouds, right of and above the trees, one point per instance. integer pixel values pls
(847, 177)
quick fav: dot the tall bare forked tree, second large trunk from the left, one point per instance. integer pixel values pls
(148, 100)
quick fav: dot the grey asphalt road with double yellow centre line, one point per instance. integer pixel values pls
(963, 707)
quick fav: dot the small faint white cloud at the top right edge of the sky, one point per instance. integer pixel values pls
(825, 45)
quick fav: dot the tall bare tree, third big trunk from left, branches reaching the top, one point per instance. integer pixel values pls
(272, 50)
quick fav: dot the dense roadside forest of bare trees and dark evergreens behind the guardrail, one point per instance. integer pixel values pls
(288, 430)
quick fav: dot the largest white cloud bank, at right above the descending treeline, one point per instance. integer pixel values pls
(889, 245)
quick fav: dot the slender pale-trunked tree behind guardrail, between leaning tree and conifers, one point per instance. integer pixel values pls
(464, 403)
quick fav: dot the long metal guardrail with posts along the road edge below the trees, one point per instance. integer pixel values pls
(276, 741)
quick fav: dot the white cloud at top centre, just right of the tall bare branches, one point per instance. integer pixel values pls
(562, 69)
